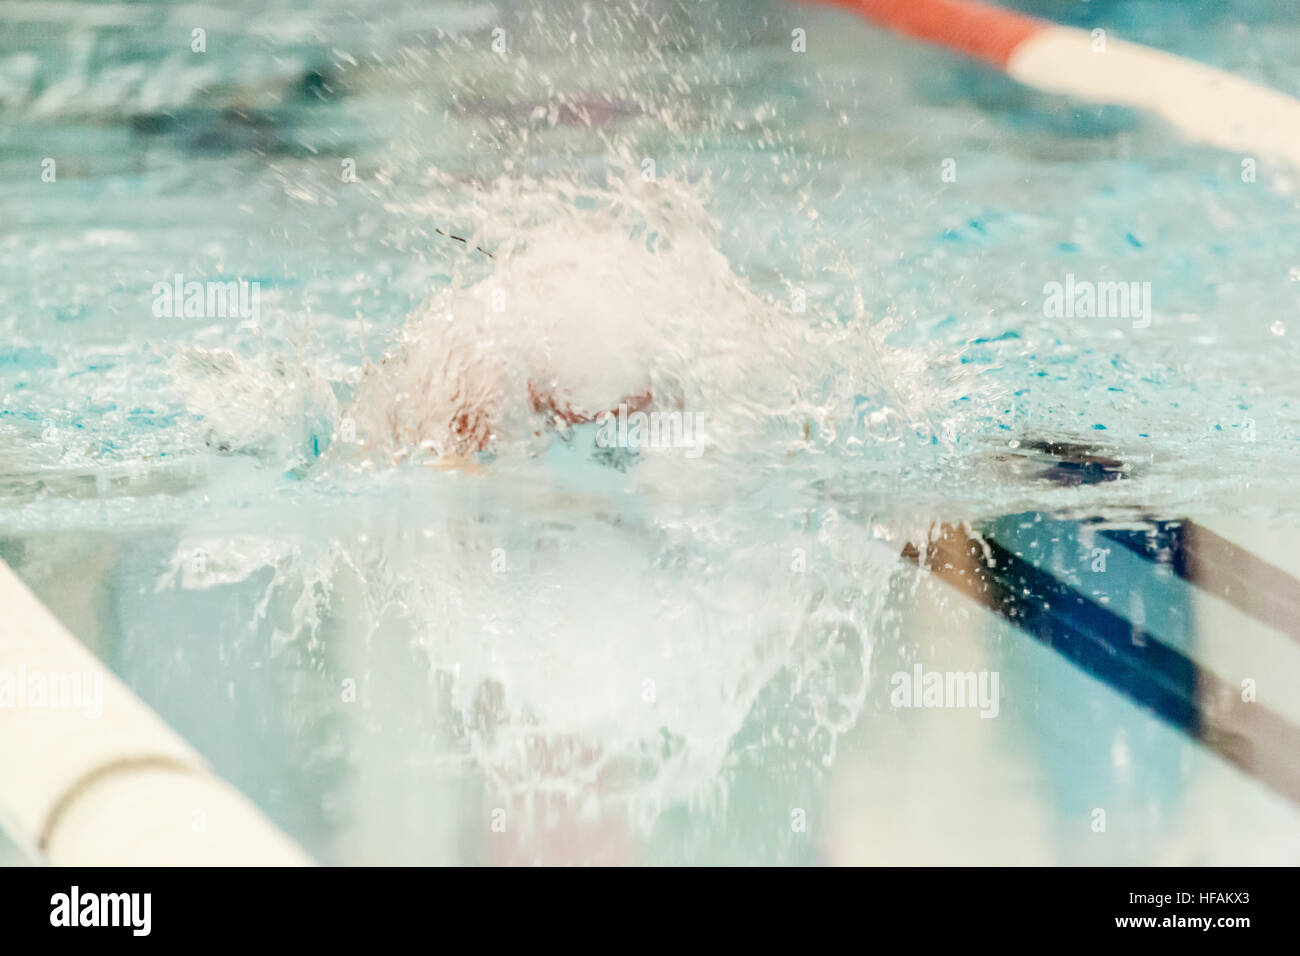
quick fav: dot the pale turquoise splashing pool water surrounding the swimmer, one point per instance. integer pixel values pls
(839, 259)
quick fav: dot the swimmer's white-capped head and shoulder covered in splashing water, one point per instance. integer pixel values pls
(473, 377)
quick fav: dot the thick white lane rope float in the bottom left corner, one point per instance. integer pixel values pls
(107, 785)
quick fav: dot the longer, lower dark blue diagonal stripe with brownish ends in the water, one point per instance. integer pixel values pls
(1129, 659)
